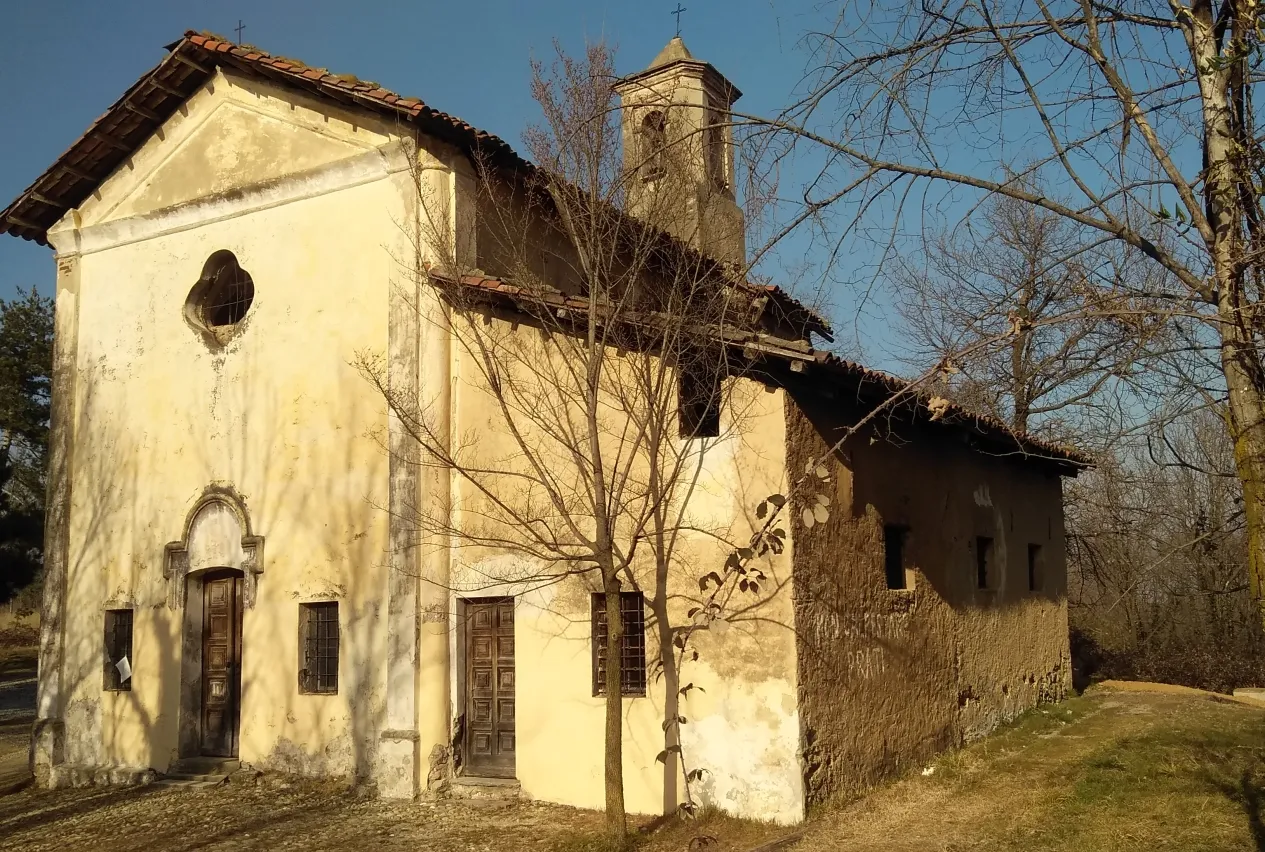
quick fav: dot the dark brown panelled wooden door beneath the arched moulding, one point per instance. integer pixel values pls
(222, 659)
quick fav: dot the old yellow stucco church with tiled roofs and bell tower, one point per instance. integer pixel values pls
(231, 569)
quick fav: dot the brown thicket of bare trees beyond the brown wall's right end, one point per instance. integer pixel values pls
(1157, 549)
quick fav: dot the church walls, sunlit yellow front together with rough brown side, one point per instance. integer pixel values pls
(312, 202)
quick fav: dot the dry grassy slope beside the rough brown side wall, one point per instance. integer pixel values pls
(1111, 772)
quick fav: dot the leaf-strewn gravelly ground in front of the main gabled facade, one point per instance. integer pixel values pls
(249, 817)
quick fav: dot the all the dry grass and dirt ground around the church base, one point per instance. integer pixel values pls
(1110, 772)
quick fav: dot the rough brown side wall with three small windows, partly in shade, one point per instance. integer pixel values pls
(890, 678)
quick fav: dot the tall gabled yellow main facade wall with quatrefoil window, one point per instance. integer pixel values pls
(309, 204)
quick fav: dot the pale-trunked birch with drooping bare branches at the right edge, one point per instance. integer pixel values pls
(1140, 113)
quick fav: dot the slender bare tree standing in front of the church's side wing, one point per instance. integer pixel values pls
(604, 351)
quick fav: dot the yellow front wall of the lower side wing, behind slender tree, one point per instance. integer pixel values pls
(742, 724)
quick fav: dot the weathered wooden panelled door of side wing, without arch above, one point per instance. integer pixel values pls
(490, 687)
